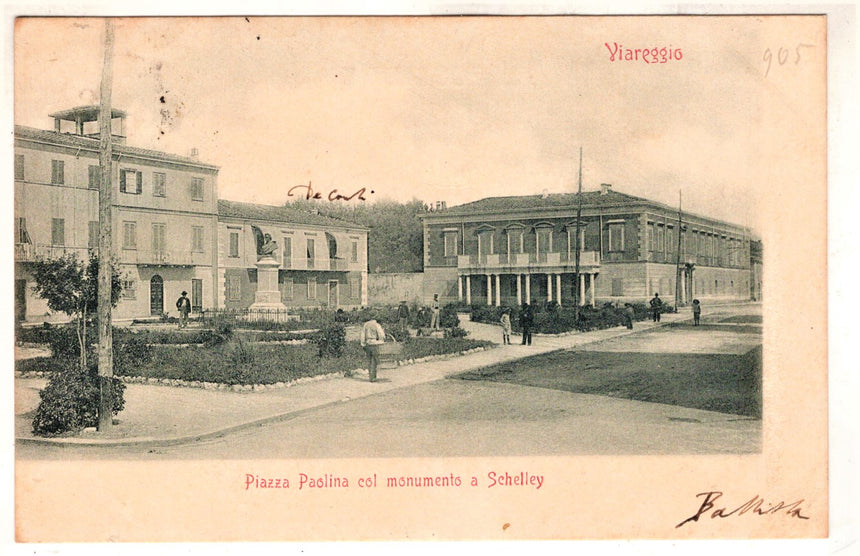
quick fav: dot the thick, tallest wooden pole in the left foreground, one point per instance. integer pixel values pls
(105, 239)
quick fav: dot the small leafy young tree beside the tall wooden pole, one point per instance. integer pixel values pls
(70, 286)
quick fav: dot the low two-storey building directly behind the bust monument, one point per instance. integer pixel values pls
(323, 261)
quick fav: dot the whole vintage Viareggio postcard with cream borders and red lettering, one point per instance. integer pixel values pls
(420, 278)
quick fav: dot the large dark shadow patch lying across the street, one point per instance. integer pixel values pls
(724, 383)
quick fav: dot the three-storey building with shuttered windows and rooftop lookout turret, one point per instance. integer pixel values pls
(164, 213)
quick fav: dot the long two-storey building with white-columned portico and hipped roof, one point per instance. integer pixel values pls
(506, 250)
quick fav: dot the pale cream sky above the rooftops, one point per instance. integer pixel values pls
(452, 109)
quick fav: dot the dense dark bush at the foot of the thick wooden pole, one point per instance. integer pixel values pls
(70, 400)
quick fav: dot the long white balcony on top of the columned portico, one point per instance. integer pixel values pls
(528, 262)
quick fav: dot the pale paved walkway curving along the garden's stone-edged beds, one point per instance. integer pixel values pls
(165, 415)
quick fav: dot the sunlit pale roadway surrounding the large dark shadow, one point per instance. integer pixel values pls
(455, 417)
